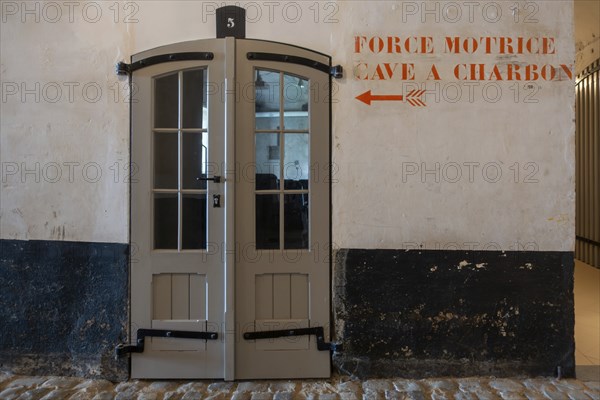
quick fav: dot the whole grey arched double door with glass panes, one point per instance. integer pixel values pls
(230, 210)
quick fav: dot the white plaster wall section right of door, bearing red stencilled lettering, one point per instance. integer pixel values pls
(376, 206)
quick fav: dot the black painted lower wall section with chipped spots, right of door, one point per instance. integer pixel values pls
(426, 313)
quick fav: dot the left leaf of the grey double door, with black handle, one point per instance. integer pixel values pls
(176, 282)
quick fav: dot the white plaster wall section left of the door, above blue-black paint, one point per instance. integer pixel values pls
(65, 118)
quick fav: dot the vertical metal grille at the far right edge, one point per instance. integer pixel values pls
(587, 142)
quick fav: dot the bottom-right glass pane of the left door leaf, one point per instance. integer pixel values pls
(193, 221)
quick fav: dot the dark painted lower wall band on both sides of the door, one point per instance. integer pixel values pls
(419, 313)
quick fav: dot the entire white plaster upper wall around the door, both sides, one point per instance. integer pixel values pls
(376, 203)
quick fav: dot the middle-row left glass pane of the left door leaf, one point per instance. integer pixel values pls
(165, 160)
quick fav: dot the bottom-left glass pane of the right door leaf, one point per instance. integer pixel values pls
(267, 221)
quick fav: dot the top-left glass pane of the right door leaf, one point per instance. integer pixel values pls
(267, 88)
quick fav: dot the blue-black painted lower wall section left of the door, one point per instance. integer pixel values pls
(63, 308)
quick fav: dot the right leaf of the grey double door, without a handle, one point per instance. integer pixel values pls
(282, 213)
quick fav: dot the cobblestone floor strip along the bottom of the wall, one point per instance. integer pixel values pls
(341, 388)
